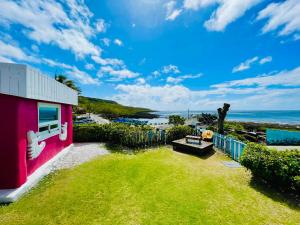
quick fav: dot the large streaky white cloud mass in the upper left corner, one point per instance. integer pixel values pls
(46, 21)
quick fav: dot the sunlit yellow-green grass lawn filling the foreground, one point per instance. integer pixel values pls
(155, 187)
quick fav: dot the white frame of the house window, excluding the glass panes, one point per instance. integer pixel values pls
(43, 135)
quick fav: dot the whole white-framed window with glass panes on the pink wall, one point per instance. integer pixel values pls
(49, 117)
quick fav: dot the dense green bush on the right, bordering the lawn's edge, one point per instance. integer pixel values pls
(281, 169)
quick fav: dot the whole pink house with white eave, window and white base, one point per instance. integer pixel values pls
(36, 127)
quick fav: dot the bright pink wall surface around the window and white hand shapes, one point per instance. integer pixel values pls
(17, 117)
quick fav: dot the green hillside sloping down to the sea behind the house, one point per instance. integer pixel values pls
(111, 109)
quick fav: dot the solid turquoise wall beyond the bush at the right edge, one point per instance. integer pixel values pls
(283, 137)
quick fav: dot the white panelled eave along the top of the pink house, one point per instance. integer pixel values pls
(27, 82)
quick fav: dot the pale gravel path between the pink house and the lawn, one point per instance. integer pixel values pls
(79, 154)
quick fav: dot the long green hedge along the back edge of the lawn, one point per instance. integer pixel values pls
(128, 135)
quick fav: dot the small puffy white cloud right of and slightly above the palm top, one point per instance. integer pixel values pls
(117, 74)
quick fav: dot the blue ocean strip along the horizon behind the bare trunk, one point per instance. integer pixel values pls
(282, 117)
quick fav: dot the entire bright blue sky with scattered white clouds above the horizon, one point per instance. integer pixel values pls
(163, 54)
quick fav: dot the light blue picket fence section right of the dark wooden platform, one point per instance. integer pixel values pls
(229, 146)
